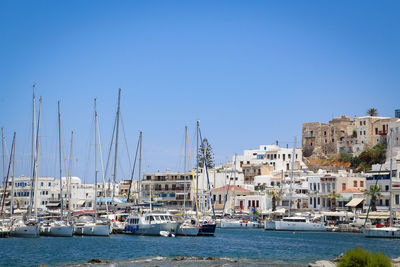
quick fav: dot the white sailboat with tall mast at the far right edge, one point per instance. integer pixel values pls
(390, 231)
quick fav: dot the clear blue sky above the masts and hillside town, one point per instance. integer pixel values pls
(251, 71)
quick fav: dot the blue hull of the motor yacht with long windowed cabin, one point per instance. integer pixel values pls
(151, 229)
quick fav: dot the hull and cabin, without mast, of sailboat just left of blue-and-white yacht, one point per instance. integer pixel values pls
(87, 225)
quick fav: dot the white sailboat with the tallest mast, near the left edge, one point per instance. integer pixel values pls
(28, 226)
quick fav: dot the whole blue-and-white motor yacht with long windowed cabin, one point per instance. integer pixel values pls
(151, 223)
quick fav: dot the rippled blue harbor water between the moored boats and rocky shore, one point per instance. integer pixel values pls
(255, 247)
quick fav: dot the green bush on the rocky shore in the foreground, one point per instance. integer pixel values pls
(359, 257)
